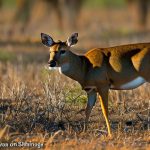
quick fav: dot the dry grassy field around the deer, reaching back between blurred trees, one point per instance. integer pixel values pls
(41, 109)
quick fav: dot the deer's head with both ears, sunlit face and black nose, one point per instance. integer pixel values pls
(59, 51)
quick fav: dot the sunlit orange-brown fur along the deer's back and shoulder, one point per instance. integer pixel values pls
(96, 55)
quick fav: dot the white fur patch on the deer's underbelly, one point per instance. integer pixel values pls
(132, 84)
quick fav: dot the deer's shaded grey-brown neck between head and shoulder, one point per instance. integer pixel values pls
(73, 68)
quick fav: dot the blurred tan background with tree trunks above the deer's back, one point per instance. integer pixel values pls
(98, 22)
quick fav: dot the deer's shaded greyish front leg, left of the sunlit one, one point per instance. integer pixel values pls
(91, 102)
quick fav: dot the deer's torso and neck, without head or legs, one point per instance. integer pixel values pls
(112, 70)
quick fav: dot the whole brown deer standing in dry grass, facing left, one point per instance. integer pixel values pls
(99, 70)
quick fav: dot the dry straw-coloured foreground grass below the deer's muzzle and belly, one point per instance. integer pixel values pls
(41, 106)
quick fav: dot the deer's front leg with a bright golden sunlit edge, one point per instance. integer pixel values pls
(103, 96)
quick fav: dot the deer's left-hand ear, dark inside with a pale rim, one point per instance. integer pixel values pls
(47, 40)
